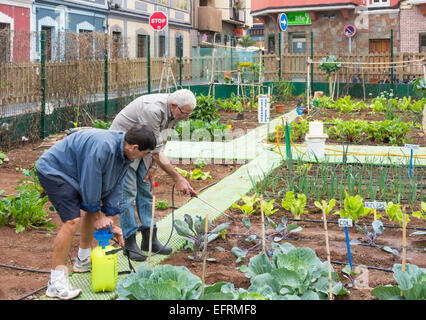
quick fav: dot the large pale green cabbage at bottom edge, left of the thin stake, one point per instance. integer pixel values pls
(293, 273)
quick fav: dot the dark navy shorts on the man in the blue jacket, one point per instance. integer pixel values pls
(64, 197)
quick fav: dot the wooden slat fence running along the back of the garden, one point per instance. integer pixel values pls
(20, 83)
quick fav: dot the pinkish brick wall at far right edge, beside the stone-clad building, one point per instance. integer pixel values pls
(412, 23)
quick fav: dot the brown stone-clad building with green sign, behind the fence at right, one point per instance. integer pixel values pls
(376, 22)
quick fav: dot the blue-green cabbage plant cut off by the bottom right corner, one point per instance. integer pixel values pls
(411, 283)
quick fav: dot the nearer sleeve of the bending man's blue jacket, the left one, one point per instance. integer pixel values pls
(91, 181)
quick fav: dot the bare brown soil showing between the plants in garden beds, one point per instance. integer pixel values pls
(33, 248)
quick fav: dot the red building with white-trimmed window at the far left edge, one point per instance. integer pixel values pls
(15, 26)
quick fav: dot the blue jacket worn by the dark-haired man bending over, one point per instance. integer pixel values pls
(93, 162)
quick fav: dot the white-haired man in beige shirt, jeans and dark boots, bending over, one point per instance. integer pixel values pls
(160, 112)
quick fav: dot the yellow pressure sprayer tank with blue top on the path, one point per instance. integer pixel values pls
(104, 262)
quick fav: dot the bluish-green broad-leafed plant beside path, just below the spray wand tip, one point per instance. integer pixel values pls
(193, 231)
